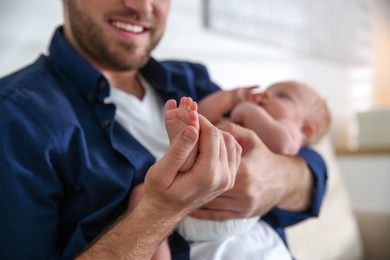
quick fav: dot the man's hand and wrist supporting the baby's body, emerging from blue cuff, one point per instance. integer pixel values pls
(265, 180)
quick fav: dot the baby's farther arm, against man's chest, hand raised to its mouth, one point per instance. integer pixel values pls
(215, 106)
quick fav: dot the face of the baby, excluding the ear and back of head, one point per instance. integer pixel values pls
(288, 100)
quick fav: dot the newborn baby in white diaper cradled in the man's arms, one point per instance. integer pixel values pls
(286, 116)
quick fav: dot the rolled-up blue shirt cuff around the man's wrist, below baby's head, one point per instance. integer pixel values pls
(280, 219)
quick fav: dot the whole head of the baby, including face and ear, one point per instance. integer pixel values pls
(302, 105)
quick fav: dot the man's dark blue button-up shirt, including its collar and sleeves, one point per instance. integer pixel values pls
(67, 167)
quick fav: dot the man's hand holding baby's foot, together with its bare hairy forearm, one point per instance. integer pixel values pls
(170, 195)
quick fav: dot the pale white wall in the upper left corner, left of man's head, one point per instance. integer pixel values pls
(26, 29)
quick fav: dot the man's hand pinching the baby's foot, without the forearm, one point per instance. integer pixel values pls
(213, 172)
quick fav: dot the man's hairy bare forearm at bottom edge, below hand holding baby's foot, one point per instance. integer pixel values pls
(135, 236)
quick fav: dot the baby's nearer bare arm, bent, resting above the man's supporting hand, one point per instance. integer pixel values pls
(280, 135)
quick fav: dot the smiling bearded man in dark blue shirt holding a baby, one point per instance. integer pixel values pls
(67, 166)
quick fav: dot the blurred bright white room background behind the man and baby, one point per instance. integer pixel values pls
(340, 47)
